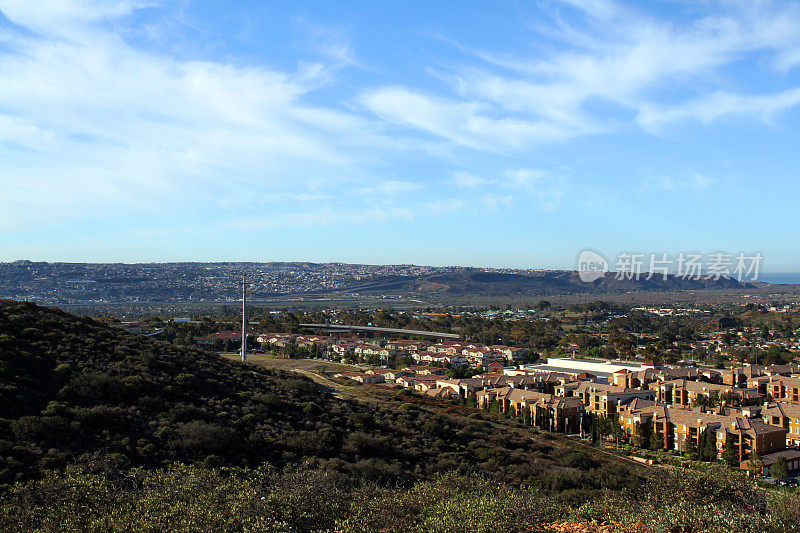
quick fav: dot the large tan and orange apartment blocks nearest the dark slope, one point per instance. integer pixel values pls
(764, 431)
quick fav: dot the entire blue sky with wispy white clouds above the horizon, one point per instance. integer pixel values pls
(450, 133)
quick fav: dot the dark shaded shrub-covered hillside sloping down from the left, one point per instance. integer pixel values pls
(77, 392)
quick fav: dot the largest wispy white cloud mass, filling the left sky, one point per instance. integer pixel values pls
(91, 126)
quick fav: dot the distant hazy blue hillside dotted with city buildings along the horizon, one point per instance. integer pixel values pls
(102, 283)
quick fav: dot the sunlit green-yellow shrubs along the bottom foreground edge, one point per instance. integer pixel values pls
(190, 498)
